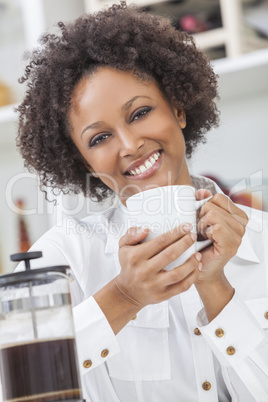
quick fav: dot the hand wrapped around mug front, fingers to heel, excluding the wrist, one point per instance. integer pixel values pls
(143, 279)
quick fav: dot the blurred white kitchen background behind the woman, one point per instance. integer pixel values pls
(233, 33)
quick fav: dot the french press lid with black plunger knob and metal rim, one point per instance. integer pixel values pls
(29, 275)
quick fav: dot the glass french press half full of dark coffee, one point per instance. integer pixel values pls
(38, 358)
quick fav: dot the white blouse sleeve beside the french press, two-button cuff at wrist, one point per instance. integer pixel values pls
(95, 339)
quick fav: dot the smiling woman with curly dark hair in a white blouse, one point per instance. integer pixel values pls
(113, 106)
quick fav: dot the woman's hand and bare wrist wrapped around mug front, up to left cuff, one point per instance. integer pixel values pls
(142, 279)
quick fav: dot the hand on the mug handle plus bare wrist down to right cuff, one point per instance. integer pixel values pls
(224, 224)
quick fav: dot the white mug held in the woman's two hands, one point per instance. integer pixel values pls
(164, 208)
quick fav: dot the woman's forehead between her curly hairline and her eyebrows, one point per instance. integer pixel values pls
(108, 84)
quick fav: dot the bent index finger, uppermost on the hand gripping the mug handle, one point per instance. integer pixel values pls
(227, 205)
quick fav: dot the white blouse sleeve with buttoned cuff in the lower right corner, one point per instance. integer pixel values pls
(239, 340)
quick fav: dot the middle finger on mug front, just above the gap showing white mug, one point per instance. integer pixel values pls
(173, 251)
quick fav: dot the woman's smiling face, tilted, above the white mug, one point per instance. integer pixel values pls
(127, 132)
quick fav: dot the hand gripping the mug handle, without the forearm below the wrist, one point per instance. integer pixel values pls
(224, 224)
